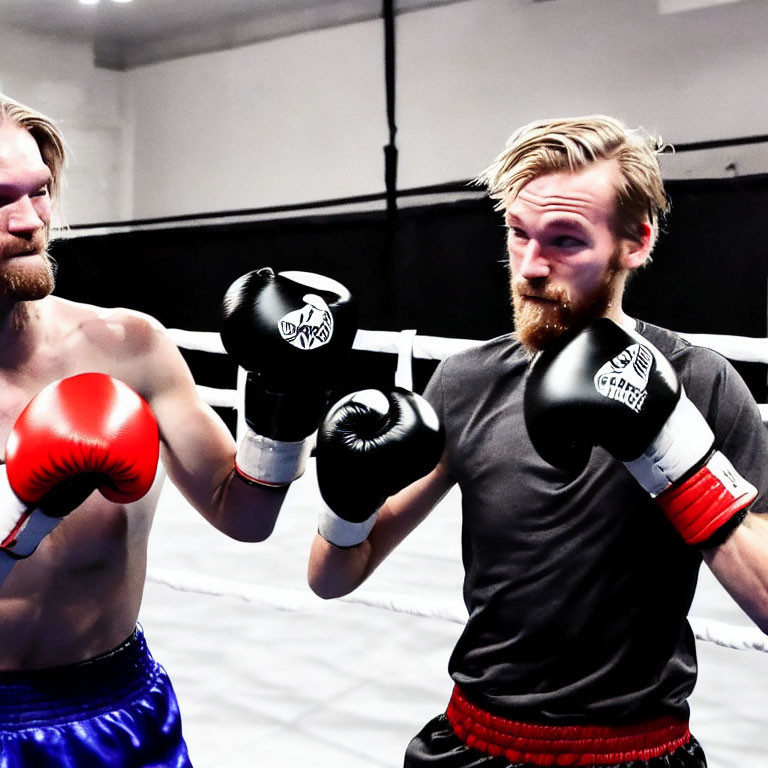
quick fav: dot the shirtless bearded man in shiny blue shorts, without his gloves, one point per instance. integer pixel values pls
(77, 684)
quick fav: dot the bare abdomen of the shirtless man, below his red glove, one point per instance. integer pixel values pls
(82, 586)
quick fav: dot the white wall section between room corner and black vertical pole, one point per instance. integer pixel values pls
(297, 119)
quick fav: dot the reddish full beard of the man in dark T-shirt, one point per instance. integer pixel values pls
(539, 323)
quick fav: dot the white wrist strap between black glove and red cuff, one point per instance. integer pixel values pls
(684, 440)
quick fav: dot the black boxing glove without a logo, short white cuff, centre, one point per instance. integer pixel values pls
(369, 446)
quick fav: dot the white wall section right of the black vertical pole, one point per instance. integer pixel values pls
(492, 65)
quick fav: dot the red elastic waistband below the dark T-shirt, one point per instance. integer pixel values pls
(563, 745)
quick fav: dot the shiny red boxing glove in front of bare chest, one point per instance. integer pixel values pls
(90, 424)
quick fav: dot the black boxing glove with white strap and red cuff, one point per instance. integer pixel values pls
(609, 387)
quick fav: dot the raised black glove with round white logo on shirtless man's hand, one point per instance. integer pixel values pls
(291, 332)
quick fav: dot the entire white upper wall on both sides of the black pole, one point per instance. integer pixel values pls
(303, 118)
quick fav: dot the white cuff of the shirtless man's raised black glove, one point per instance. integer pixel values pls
(266, 461)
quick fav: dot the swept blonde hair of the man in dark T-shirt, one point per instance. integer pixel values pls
(571, 144)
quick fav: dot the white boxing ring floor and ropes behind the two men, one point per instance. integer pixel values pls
(269, 675)
